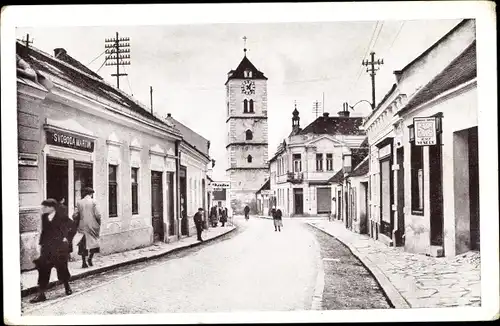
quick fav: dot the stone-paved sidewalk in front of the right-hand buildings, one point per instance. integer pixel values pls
(414, 280)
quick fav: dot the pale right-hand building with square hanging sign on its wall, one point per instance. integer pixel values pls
(411, 203)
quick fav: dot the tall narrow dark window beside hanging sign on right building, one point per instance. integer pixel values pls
(417, 175)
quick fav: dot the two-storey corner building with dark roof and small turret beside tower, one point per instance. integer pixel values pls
(305, 162)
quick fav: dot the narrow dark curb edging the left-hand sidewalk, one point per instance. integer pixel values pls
(28, 291)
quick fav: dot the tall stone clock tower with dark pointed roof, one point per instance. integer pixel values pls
(247, 139)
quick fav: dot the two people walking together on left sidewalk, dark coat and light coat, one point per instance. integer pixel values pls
(57, 235)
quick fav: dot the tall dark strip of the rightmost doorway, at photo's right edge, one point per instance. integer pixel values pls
(474, 188)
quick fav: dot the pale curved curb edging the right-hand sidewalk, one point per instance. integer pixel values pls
(395, 298)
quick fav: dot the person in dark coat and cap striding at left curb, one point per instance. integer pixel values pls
(54, 248)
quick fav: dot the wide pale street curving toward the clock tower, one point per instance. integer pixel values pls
(254, 268)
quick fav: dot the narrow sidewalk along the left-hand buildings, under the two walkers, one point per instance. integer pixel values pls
(112, 261)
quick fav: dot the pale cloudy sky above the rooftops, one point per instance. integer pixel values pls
(187, 66)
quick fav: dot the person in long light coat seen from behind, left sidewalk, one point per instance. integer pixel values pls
(88, 218)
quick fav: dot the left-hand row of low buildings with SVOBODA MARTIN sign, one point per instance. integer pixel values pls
(75, 130)
